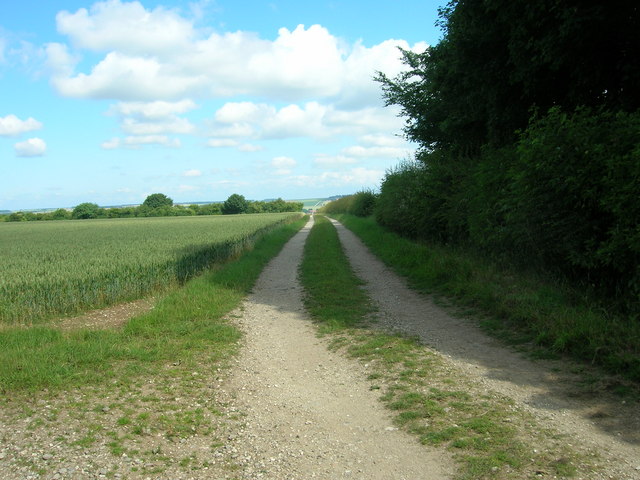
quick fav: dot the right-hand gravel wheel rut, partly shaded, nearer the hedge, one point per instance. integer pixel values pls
(591, 417)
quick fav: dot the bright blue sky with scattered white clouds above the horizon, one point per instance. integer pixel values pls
(110, 101)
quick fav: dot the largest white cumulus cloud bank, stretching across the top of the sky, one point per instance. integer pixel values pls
(151, 54)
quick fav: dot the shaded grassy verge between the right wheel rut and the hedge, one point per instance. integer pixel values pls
(518, 307)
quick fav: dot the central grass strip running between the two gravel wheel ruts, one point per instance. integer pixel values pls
(487, 434)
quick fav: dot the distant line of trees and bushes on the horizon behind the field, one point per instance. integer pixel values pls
(159, 205)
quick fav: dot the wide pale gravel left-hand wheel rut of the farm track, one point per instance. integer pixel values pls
(309, 412)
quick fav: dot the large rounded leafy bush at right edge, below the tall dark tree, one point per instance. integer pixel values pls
(574, 196)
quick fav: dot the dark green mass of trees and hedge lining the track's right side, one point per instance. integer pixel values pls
(528, 149)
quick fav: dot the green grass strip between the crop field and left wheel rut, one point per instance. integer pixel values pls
(188, 321)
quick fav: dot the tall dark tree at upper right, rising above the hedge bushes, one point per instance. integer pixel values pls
(479, 83)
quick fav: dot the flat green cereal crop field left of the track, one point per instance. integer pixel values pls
(64, 267)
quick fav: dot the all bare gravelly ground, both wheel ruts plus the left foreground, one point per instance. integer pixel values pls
(288, 408)
